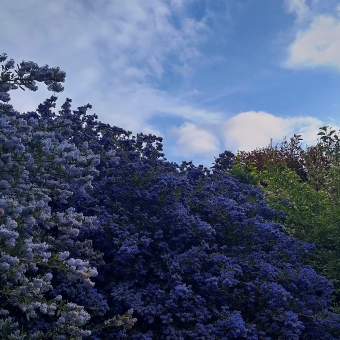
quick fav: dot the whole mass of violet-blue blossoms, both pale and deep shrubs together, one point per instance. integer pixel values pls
(102, 238)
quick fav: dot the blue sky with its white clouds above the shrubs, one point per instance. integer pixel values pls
(206, 75)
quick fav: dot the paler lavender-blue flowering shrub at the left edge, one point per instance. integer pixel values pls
(40, 249)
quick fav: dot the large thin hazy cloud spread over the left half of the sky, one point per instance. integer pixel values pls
(119, 49)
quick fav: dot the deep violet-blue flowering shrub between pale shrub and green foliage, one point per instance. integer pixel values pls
(193, 253)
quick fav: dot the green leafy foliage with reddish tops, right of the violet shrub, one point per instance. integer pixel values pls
(305, 185)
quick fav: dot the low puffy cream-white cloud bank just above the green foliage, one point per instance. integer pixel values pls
(245, 131)
